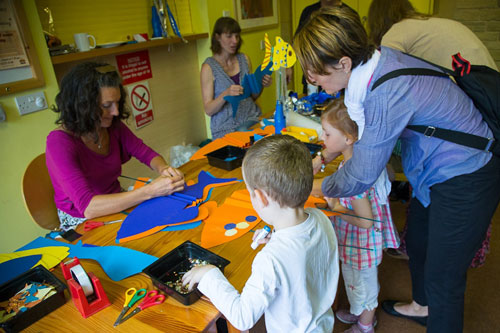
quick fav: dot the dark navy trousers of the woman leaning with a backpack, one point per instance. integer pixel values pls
(443, 238)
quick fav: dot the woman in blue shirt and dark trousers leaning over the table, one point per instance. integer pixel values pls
(456, 189)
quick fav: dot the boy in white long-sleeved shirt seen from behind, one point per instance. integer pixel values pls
(294, 277)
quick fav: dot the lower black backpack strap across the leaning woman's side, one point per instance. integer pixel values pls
(461, 138)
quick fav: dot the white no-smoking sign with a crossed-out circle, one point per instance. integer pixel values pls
(140, 101)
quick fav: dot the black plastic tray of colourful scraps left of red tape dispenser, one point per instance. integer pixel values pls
(25, 319)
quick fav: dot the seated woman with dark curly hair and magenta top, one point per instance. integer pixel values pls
(85, 153)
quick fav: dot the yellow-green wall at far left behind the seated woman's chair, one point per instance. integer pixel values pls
(21, 139)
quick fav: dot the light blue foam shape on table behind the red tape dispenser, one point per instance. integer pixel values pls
(116, 261)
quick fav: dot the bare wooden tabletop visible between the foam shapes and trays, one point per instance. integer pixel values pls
(171, 316)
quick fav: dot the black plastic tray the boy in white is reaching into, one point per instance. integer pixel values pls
(175, 263)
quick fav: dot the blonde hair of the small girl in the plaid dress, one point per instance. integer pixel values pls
(336, 115)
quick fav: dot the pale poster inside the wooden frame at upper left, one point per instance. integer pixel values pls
(12, 52)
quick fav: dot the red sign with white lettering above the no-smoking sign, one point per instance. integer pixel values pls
(134, 67)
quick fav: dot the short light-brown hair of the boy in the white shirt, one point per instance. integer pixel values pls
(281, 166)
